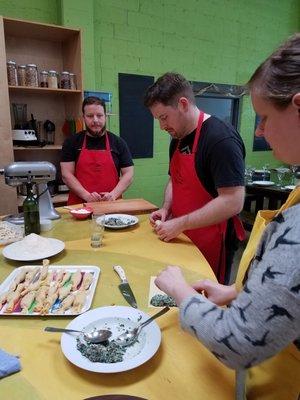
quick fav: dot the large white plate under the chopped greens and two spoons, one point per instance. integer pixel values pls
(111, 317)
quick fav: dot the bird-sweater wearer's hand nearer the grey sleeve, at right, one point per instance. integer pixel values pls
(215, 292)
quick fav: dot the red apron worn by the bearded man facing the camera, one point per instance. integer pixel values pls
(95, 170)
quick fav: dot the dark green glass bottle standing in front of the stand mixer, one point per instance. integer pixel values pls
(31, 212)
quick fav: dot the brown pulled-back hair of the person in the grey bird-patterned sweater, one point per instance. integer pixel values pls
(277, 79)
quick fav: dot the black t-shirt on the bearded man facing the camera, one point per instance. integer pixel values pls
(119, 149)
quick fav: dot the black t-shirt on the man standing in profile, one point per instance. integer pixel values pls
(220, 154)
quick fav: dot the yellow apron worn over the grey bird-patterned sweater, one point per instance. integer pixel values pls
(279, 377)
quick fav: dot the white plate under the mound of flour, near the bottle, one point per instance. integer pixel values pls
(15, 251)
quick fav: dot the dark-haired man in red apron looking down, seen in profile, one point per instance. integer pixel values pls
(206, 185)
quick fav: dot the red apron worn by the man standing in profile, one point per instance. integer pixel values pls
(189, 195)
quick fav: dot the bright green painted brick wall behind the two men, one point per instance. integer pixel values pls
(217, 40)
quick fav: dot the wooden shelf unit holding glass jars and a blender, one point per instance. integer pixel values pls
(49, 47)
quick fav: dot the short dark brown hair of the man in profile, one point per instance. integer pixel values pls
(168, 89)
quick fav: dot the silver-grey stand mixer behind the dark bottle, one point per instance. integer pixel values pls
(32, 172)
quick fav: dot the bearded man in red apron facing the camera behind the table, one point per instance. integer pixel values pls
(96, 165)
